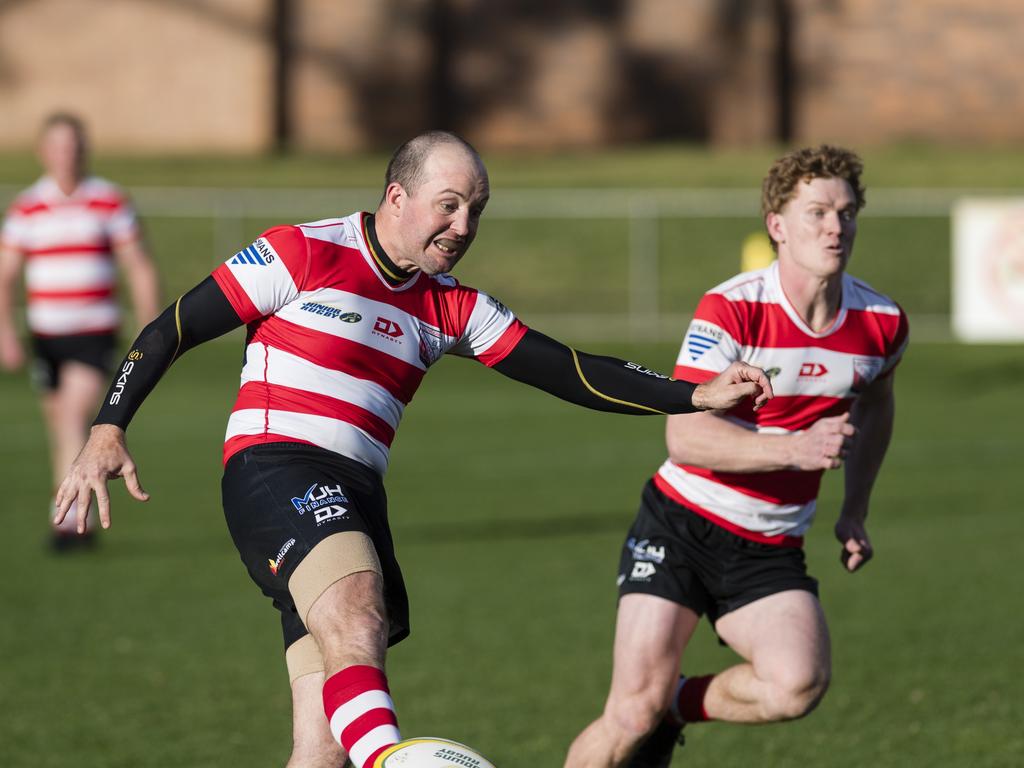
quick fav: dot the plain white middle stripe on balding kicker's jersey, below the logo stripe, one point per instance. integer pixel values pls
(278, 367)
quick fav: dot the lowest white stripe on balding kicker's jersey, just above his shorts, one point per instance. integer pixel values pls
(331, 435)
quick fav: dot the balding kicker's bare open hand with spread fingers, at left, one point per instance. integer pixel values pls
(105, 456)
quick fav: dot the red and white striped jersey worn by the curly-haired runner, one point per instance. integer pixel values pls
(815, 375)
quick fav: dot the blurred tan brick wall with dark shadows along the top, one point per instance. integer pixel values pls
(199, 75)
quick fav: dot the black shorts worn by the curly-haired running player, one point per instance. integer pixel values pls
(673, 552)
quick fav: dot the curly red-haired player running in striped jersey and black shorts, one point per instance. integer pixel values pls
(720, 528)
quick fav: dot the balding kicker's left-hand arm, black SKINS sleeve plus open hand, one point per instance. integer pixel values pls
(201, 315)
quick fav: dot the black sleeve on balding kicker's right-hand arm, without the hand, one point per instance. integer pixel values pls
(592, 381)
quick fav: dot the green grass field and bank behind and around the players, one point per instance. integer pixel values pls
(509, 509)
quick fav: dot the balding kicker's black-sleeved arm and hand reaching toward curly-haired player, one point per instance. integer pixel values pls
(618, 387)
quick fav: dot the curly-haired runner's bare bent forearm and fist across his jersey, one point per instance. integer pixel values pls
(713, 442)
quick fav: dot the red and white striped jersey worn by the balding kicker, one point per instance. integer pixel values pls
(334, 352)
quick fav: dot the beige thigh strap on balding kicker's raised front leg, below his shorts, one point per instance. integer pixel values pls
(331, 561)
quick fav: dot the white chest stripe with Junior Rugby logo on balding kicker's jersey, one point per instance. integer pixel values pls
(382, 327)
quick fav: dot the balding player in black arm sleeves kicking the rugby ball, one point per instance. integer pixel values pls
(345, 319)
